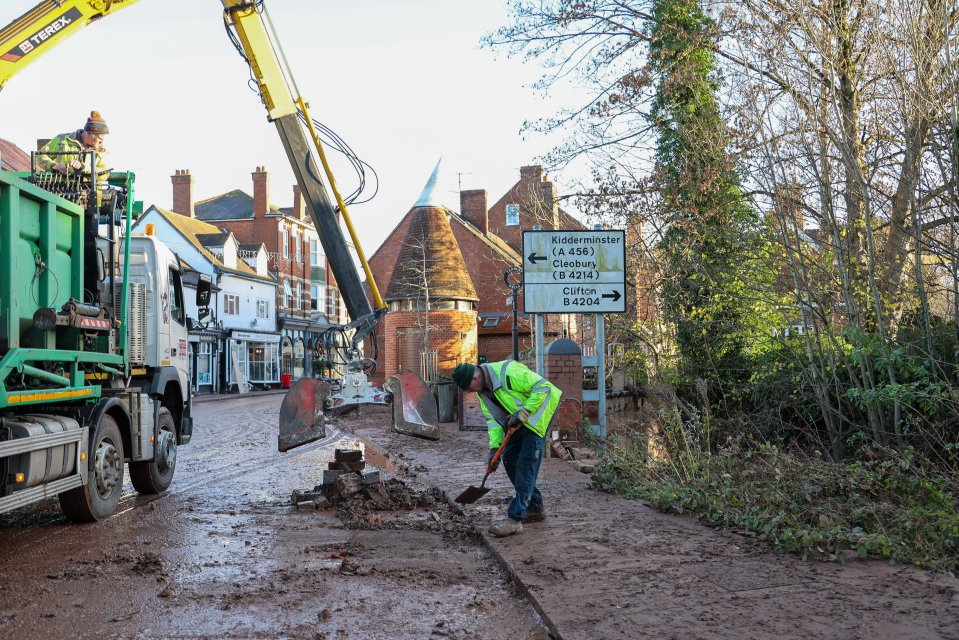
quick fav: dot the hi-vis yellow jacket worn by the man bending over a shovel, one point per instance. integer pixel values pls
(515, 387)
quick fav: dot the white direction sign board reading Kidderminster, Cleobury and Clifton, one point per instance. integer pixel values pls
(574, 271)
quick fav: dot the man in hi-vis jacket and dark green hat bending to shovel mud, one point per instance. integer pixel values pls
(514, 398)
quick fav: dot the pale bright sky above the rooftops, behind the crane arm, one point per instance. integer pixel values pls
(404, 83)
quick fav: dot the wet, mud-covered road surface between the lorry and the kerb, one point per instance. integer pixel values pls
(224, 554)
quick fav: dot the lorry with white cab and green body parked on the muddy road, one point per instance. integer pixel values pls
(94, 373)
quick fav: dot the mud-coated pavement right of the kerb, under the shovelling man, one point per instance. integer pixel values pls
(602, 566)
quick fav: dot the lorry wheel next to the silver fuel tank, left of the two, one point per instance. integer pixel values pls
(98, 499)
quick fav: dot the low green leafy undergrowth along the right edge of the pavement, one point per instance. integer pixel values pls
(889, 504)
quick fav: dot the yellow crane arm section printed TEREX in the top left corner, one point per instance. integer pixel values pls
(44, 26)
